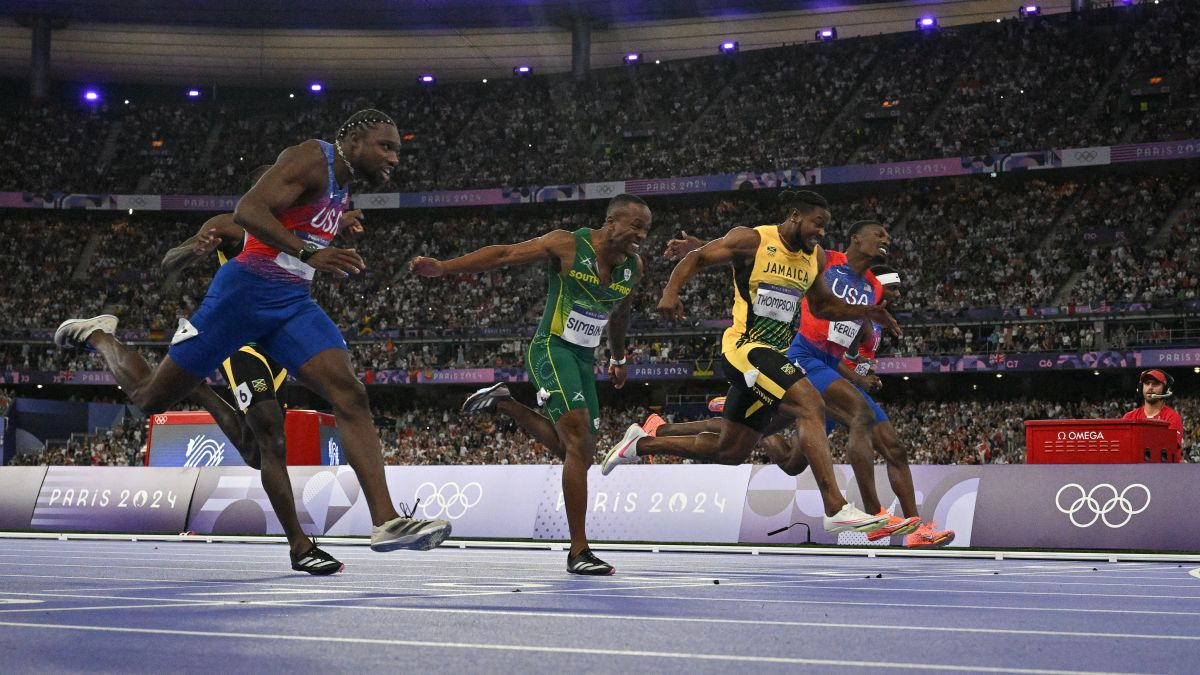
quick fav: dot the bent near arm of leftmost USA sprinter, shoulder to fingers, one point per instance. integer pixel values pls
(299, 176)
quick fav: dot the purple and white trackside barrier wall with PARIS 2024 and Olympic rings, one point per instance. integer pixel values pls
(1112, 507)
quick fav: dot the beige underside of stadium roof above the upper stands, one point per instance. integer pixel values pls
(356, 44)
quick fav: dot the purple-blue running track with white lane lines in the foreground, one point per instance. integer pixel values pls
(155, 607)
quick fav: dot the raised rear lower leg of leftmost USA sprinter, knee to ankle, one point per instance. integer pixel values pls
(152, 390)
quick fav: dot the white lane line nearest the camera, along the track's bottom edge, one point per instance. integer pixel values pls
(541, 649)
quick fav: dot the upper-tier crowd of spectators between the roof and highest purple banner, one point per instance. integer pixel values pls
(1057, 81)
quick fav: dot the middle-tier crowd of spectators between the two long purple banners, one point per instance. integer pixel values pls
(1082, 246)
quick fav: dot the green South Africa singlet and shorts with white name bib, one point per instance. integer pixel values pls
(561, 360)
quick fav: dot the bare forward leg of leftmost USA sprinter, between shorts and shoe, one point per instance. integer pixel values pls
(329, 374)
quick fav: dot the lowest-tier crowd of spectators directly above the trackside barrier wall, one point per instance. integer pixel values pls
(964, 432)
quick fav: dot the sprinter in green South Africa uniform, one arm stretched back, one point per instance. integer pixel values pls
(591, 276)
